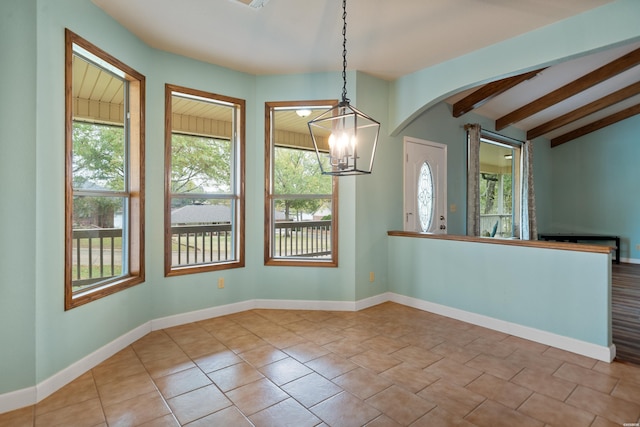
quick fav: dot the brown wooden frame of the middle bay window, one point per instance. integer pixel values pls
(237, 184)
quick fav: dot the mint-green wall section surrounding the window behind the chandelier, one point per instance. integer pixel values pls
(298, 283)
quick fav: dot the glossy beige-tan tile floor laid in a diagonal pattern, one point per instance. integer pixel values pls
(388, 365)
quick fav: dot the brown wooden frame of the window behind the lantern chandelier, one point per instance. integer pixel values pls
(269, 259)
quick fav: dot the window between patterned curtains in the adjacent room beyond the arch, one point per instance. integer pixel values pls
(499, 183)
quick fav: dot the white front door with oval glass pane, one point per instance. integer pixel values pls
(425, 186)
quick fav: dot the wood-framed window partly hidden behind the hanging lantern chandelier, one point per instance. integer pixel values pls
(301, 204)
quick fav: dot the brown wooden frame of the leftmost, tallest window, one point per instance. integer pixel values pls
(135, 178)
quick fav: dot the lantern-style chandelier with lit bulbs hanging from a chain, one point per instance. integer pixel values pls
(351, 135)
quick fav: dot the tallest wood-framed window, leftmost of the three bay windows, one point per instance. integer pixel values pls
(104, 208)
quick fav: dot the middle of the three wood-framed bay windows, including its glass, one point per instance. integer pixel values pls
(204, 181)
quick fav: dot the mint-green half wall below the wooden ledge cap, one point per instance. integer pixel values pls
(569, 296)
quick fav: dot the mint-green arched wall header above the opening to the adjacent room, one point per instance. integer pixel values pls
(613, 23)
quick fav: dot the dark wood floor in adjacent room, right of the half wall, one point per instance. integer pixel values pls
(625, 304)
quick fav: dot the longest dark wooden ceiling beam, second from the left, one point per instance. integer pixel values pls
(599, 75)
